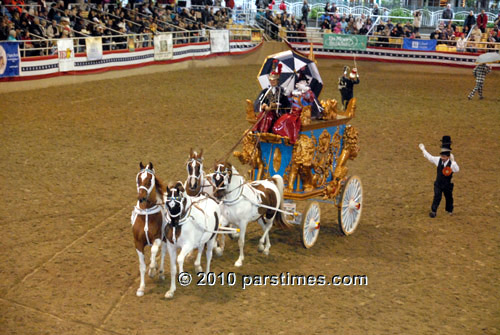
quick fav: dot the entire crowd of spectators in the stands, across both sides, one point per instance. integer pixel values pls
(113, 22)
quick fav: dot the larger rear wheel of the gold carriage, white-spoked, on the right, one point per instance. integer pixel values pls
(350, 206)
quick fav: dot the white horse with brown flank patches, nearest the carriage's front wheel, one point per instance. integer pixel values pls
(243, 202)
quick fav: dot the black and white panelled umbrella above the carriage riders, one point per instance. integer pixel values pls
(293, 65)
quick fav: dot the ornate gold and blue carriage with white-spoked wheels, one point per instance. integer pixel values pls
(314, 168)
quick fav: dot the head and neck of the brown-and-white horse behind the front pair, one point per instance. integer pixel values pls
(196, 182)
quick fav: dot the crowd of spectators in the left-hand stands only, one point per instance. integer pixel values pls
(112, 22)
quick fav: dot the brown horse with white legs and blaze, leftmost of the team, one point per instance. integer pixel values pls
(148, 221)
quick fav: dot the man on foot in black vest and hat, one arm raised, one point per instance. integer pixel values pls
(446, 166)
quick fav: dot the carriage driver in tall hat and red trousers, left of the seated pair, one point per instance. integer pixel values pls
(271, 102)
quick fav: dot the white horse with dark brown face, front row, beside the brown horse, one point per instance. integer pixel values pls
(194, 222)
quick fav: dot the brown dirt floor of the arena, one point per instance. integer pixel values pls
(70, 154)
